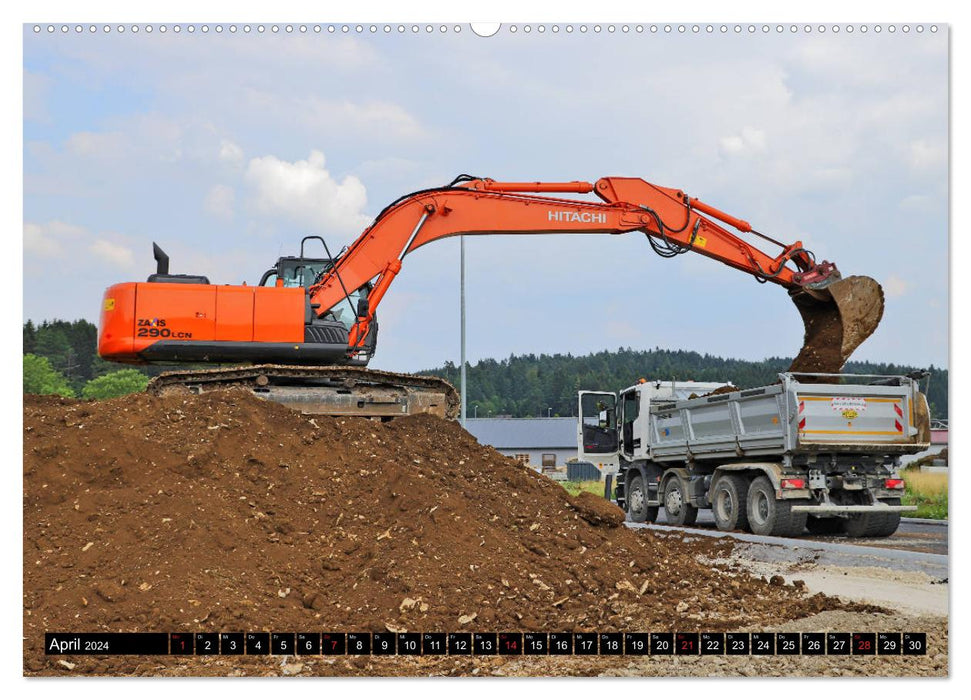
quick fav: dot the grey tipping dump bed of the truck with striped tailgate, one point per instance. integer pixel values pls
(862, 413)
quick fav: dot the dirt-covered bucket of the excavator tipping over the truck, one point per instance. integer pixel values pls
(838, 318)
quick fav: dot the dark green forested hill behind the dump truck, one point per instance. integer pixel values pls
(540, 385)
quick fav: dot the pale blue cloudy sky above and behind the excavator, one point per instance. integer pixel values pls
(227, 148)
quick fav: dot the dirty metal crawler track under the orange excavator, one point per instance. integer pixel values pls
(326, 390)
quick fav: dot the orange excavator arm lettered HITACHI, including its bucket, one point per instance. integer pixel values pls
(673, 222)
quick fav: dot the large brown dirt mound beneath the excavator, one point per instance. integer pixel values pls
(224, 512)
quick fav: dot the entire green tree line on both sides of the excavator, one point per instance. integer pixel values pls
(61, 357)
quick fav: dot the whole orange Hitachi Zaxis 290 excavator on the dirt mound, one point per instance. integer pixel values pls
(306, 333)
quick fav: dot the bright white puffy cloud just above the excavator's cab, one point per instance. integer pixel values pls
(306, 192)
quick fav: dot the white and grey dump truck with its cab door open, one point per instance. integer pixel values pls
(817, 452)
